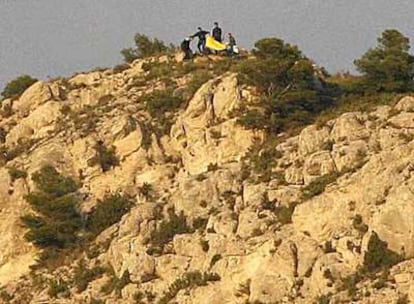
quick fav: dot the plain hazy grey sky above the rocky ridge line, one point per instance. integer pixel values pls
(47, 38)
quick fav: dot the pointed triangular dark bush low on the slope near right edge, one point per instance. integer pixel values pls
(379, 256)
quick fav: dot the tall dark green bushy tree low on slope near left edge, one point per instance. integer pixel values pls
(57, 222)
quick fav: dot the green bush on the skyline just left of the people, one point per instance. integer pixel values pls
(145, 47)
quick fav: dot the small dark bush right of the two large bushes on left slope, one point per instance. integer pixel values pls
(168, 228)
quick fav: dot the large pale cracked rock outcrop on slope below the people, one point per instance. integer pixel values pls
(201, 135)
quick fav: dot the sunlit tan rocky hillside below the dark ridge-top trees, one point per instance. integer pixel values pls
(330, 220)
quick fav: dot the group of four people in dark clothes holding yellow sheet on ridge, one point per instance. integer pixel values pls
(202, 35)
